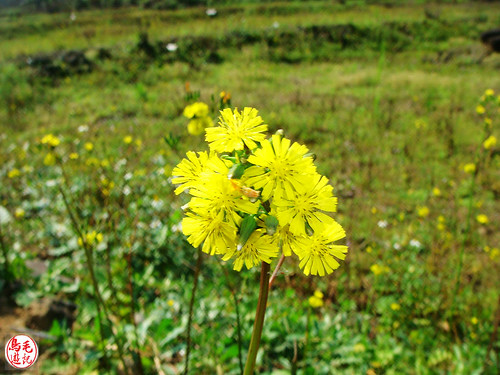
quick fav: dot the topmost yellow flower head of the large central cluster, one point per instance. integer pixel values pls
(235, 130)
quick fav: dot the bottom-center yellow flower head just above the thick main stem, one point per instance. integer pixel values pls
(257, 249)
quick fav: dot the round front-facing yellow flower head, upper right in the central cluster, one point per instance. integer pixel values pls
(279, 169)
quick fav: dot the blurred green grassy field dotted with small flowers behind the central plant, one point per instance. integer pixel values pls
(390, 99)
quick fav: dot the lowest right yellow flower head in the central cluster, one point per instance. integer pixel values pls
(318, 254)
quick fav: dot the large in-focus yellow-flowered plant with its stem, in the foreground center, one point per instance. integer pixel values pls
(255, 199)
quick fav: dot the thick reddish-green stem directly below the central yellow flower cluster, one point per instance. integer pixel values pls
(259, 319)
